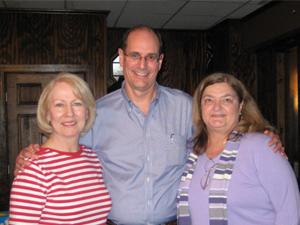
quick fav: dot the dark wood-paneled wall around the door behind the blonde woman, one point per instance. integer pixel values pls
(50, 37)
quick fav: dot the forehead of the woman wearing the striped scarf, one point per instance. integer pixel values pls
(219, 89)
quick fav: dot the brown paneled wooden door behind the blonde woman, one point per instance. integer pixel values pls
(23, 91)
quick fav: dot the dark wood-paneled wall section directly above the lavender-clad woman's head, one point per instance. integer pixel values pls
(229, 55)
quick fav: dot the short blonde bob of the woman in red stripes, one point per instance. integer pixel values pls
(80, 89)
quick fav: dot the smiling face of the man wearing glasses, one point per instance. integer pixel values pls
(140, 75)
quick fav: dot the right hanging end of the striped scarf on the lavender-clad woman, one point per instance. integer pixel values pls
(220, 182)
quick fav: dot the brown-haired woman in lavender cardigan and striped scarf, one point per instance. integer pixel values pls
(232, 176)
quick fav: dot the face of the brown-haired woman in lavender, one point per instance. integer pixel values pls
(220, 108)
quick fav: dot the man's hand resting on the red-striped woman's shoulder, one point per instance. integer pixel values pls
(21, 160)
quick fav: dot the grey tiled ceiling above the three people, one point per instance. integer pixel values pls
(163, 14)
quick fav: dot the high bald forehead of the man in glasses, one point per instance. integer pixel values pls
(143, 41)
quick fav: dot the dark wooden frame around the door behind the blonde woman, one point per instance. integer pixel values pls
(5, 70)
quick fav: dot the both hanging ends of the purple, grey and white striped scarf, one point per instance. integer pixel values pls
(218, 187)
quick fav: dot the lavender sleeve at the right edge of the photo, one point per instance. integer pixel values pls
(278, 180)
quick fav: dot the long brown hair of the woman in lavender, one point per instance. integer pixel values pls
(252, 121)
